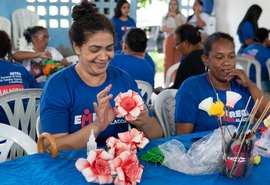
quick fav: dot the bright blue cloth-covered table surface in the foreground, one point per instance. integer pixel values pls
(42, 169)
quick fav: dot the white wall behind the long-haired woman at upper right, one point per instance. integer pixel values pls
(229, 13)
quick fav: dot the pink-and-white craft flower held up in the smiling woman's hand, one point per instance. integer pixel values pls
(128, 105)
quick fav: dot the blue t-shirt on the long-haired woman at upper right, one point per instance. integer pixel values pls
(246, 31)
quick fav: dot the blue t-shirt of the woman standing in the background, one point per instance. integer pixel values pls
(120, 29)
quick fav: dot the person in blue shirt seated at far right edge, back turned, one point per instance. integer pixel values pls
(261, 53)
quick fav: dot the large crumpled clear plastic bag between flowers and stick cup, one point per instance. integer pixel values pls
(203, 157)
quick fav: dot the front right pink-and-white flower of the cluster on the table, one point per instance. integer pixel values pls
(128, 169)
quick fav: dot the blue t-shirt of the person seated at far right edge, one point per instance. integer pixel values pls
(260, 53)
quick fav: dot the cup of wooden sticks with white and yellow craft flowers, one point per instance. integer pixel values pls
(238, 152)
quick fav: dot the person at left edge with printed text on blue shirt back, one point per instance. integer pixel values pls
(13, 76)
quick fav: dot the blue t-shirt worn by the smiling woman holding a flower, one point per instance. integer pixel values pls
(67, 102)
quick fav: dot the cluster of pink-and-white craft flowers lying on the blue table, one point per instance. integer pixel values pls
(119, 165)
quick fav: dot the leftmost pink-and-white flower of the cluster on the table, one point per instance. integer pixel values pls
(97, 167)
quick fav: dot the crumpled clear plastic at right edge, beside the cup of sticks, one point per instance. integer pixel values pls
(262, 145)
